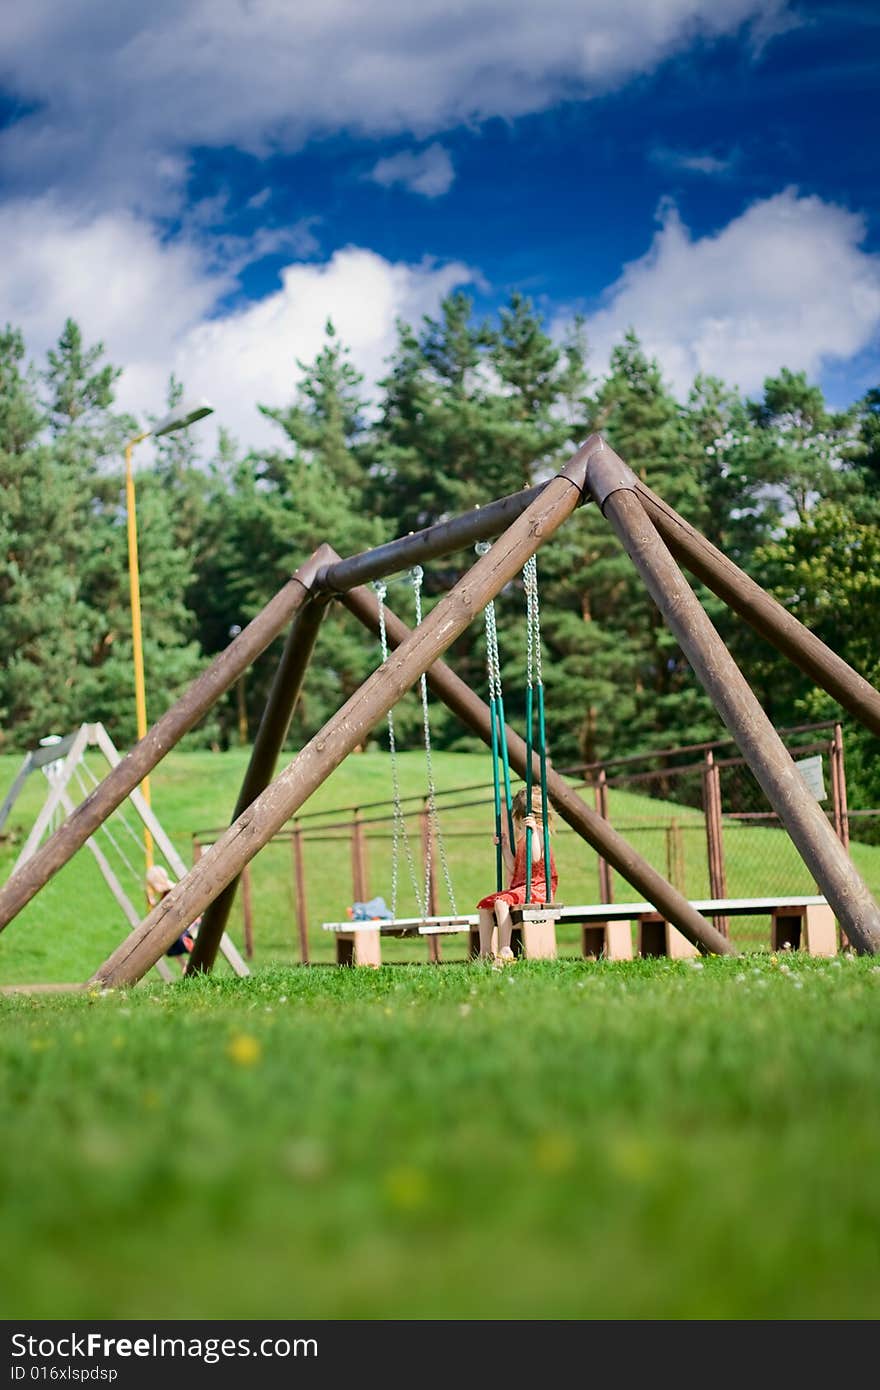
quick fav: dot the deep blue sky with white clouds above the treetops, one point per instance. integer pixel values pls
(202, 183)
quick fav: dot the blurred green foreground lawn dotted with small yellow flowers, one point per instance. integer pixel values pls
(555, 1140)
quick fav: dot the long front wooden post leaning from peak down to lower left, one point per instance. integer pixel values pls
(259, 822)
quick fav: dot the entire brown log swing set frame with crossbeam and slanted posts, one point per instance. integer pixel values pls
(654, 536)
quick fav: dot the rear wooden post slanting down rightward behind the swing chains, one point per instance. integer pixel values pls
(601, 836)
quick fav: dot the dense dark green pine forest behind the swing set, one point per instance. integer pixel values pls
(466, 412)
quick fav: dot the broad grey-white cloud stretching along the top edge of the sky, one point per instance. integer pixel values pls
(120, 92)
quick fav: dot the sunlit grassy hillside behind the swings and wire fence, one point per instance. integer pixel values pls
(74, 924)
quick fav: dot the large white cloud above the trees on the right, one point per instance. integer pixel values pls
(786, 284)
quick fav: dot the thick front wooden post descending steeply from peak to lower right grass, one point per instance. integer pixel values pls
(612, 486)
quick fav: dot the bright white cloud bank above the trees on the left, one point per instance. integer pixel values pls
(155, 306)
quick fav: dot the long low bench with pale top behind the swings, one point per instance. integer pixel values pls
(803, 924)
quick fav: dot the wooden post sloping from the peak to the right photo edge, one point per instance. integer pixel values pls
(763, 612)
